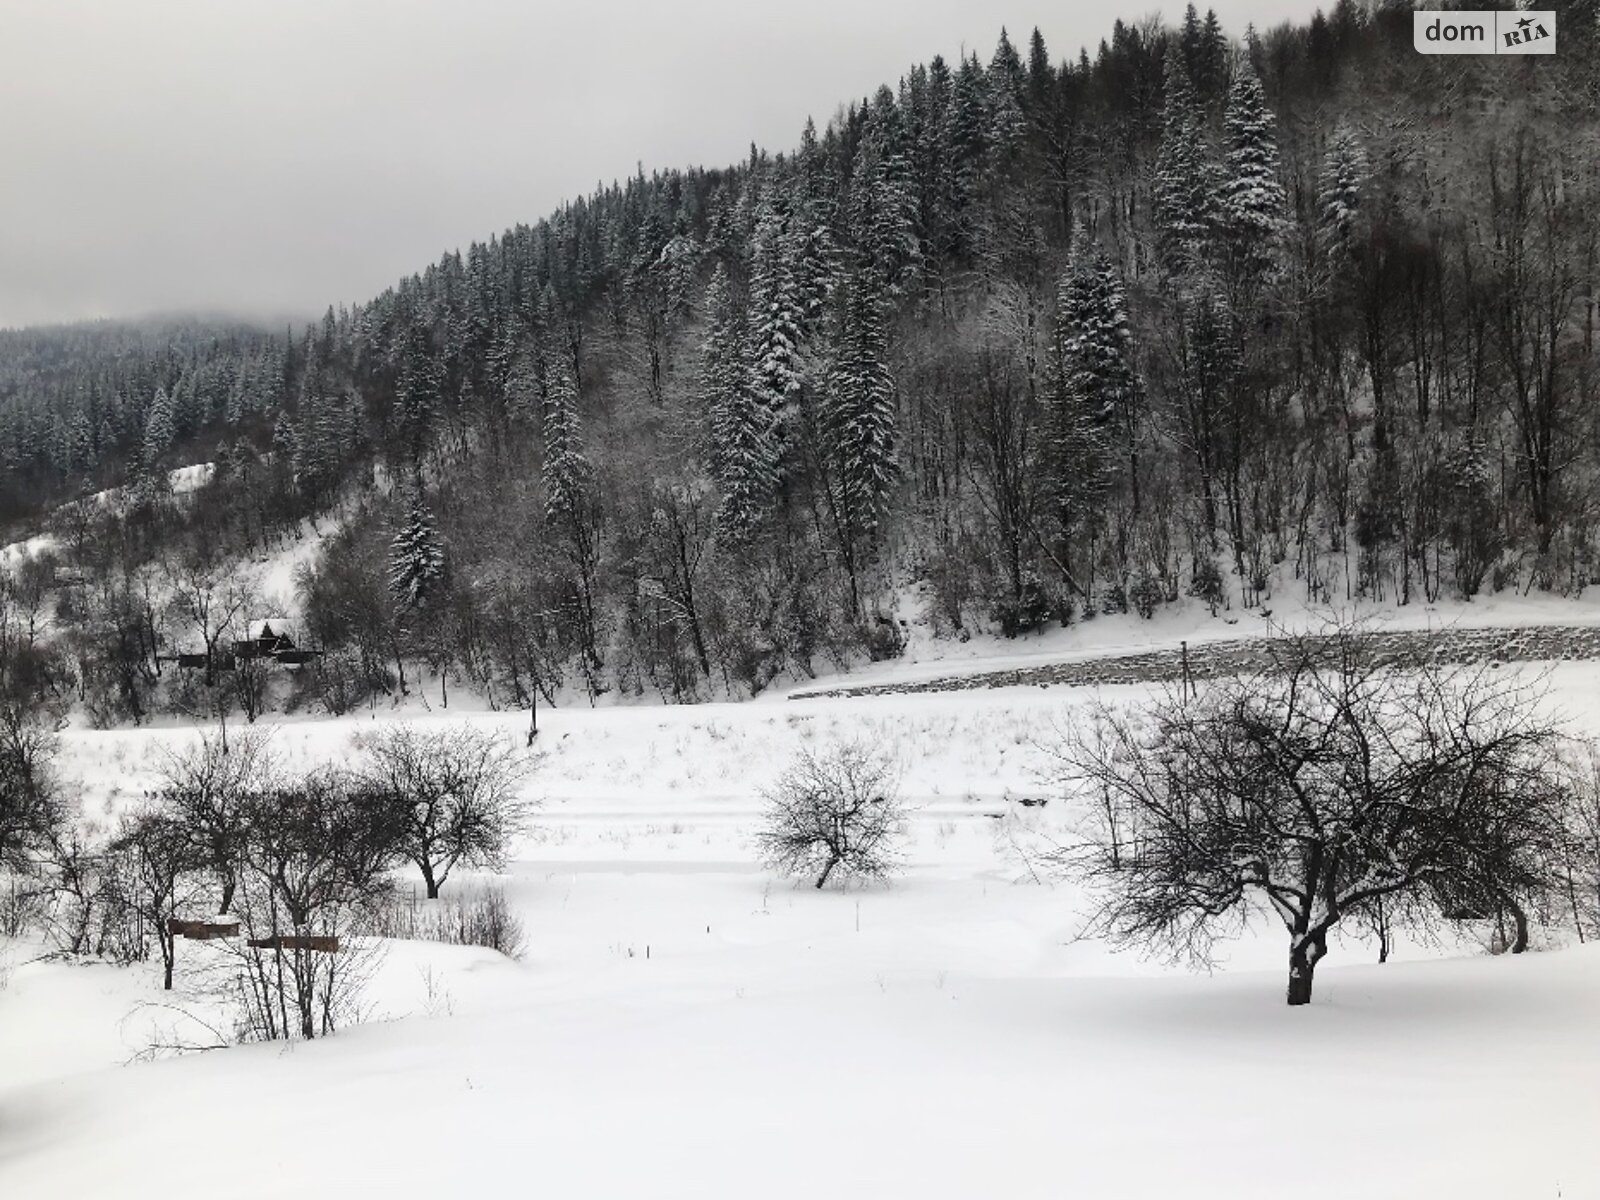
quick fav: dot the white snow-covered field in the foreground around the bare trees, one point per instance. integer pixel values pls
(686, 1025)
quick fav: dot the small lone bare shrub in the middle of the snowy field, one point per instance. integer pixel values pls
(834, 810)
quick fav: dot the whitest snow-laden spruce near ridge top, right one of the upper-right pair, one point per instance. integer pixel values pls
(1254, 206)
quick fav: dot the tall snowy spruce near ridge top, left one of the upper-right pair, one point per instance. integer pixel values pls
(1186, 182)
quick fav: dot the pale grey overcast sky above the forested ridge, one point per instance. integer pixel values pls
(270, 158)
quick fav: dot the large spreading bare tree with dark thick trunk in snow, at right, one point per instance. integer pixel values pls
(1324, 786)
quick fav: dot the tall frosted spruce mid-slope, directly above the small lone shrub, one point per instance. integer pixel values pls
(857, 423)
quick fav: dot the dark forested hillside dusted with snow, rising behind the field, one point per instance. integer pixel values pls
(1031, 340)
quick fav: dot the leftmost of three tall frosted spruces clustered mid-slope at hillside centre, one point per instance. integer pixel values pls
(742, 430)
